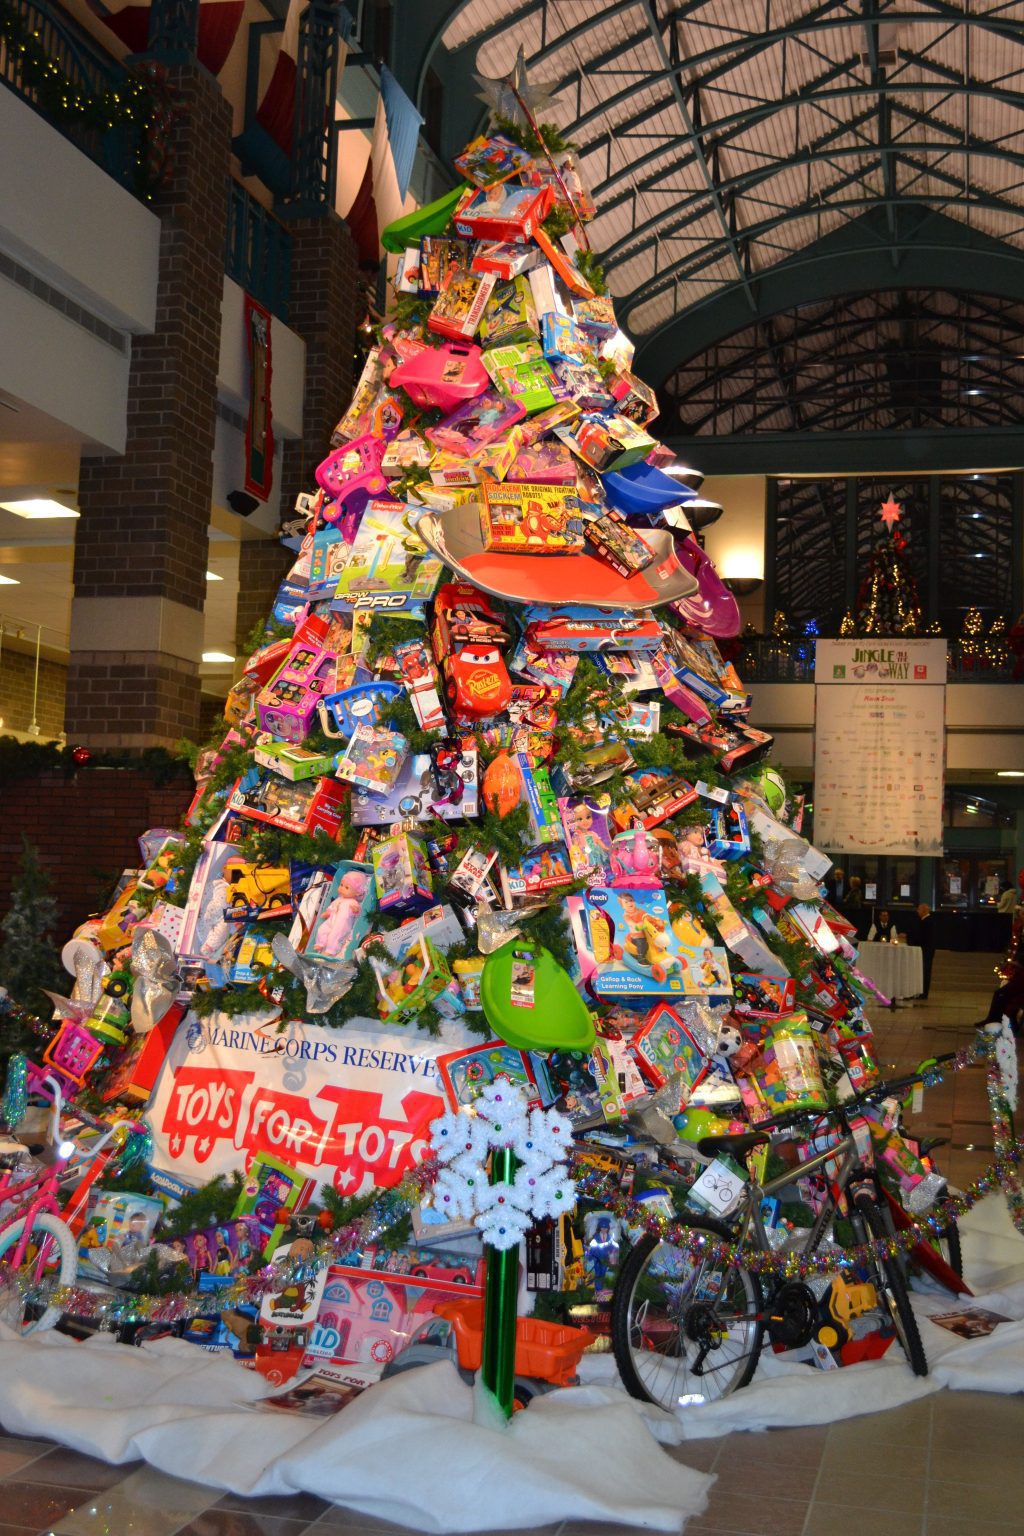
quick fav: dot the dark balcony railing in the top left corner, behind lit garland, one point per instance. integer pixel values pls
(81, 73)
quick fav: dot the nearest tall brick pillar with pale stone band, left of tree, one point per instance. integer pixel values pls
(142, 540)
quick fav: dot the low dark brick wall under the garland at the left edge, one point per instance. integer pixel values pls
(87, 830)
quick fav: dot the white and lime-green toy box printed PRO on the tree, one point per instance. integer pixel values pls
(389, 569)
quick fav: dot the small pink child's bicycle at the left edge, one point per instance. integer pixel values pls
(36, 1242)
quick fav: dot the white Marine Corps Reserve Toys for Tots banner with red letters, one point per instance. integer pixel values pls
(348, 1108)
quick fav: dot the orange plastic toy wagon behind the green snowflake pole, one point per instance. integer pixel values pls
(547, 1356)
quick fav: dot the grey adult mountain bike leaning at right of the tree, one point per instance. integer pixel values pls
(689, 1329)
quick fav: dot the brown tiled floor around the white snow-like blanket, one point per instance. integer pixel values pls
(948, 1466)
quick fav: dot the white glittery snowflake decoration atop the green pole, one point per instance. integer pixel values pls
(540, 1139)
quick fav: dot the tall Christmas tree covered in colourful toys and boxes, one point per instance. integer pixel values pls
(486, 796)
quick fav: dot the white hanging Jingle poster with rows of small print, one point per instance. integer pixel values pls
(879, 746)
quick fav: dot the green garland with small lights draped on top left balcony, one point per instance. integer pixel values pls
(144, 104)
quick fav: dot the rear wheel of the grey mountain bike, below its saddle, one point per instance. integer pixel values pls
(685, 1329)
